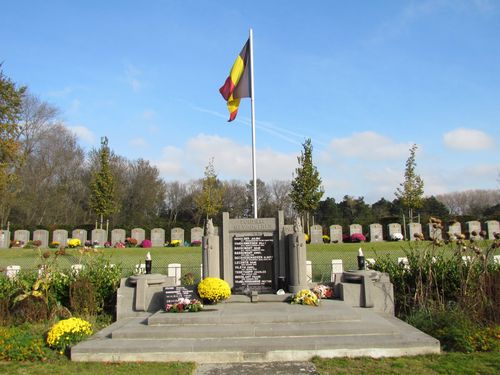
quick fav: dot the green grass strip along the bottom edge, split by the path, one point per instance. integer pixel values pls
(449, 363)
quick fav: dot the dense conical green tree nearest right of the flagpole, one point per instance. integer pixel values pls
(306, 187)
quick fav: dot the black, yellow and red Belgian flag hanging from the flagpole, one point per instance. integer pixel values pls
(237, 85)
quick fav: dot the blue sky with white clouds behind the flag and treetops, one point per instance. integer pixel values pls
(363, 79)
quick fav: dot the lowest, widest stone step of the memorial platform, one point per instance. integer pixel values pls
(217, 350)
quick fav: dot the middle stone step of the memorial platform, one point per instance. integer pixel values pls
(243, 329)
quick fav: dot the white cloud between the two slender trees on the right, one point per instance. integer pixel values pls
(369, 145)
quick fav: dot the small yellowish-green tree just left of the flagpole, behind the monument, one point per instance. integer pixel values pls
(209, 200)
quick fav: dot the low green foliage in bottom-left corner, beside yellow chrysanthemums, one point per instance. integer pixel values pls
(22, 343)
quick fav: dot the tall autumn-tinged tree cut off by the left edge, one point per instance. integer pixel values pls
(11, 99)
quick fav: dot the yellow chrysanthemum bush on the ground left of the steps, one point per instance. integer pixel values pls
(68, 332)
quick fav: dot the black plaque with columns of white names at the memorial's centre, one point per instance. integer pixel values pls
(253, 258)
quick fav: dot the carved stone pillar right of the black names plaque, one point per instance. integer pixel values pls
(298, 259)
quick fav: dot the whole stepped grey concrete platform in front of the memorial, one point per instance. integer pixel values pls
(256, 332)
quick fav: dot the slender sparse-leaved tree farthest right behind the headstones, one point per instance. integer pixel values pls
(412, 189)
